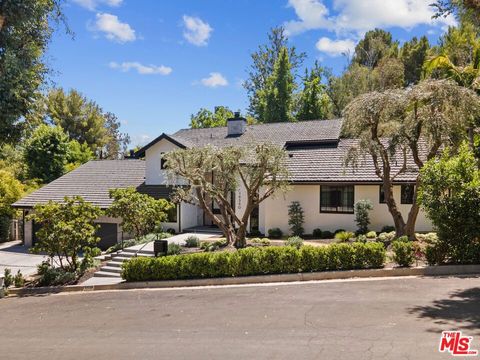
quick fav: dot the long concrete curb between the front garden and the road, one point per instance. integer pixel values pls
(447, 270)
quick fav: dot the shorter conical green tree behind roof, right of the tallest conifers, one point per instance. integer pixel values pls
(313, 102)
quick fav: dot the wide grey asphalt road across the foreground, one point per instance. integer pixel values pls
(373, 319)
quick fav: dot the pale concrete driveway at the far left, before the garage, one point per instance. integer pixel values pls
(15, 256)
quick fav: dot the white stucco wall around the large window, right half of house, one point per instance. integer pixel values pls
(274, 211)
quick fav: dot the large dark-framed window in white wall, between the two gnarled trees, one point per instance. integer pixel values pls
(336, 199)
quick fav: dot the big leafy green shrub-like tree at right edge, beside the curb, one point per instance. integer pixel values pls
(450, 195)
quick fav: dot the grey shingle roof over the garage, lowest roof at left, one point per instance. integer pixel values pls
(92, 181)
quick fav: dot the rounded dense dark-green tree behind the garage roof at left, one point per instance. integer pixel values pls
(46, 153)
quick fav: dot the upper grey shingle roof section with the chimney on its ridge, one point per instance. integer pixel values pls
(277, 133)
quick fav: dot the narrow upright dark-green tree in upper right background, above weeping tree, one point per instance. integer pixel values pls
(413, 54)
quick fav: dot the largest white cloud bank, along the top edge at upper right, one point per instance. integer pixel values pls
(359, 16)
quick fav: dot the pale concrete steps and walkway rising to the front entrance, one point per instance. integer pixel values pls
(146, 250)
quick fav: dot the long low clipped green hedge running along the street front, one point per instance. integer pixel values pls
(256, 261)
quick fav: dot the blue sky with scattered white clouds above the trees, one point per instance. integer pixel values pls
(153, 63)
